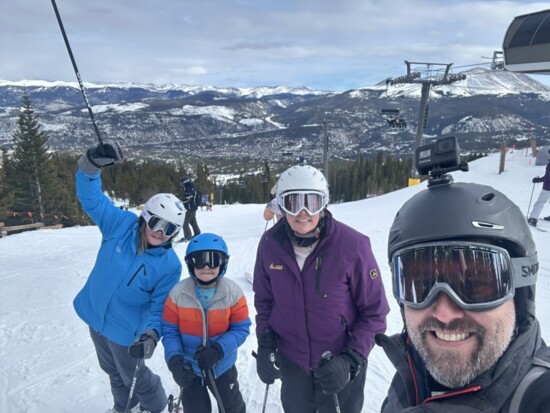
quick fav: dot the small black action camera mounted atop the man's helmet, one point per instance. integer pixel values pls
(438, 158)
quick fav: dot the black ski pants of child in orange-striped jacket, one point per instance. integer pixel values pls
(196, 399)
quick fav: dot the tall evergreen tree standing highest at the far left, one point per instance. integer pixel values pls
(30, 175)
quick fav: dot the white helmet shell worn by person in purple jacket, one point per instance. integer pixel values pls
(302, 178)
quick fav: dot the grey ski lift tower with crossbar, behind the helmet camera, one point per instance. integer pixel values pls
(435, 74)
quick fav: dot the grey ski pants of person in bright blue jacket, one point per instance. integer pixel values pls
(115, 361)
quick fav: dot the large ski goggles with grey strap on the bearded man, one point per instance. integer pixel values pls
(476, 276)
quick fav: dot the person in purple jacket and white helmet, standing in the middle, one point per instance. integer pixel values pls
(319, 300)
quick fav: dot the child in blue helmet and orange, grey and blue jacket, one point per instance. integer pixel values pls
(204, 322)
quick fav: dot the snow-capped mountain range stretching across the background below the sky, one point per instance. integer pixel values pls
(185, 122)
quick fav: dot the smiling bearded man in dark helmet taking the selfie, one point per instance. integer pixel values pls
(464, 267)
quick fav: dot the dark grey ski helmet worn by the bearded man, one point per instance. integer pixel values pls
(468, 211)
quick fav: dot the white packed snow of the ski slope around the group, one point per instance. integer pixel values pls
(47, 357)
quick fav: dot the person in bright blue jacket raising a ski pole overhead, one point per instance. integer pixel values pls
(135, 269)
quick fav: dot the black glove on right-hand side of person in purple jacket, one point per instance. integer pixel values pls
(334, 374)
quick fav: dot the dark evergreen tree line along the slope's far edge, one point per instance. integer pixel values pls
(39, 186)
